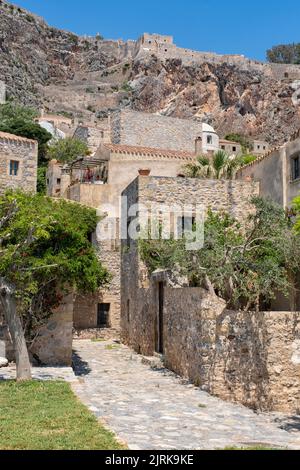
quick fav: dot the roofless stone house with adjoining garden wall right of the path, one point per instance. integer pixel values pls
(251, 358)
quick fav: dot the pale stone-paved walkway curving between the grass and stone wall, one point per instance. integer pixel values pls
(151, 409)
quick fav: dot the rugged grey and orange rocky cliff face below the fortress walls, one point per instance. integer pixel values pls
(65, 73)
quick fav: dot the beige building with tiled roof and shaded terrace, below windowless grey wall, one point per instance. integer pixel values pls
(98, 182)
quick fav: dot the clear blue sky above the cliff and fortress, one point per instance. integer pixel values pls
(229, 27)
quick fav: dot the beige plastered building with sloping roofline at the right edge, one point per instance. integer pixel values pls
(278, 172)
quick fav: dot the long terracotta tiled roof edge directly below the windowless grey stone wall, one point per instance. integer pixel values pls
(147, 151)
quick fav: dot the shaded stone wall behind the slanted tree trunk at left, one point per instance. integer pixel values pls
(53, 345)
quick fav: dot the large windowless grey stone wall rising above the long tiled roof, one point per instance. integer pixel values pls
(151, 130)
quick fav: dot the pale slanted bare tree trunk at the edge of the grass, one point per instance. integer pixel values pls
(13, 321)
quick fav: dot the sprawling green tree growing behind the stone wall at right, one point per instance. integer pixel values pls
(243, 265)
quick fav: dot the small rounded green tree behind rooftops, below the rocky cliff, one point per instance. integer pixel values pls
(67, 150)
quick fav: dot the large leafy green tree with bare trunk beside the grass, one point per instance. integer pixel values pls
(44, 253)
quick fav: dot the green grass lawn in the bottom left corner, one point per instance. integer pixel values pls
(48, 416)
